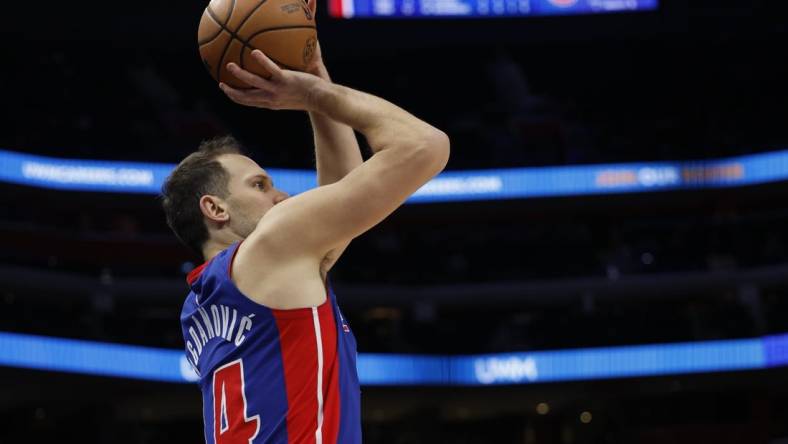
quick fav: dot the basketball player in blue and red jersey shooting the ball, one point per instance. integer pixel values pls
(276, 359)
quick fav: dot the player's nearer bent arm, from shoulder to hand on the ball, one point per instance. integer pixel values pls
(407, 153)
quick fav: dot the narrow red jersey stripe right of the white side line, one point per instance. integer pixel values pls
(328, 328)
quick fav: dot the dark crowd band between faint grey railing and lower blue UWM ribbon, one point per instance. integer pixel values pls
(417, 324)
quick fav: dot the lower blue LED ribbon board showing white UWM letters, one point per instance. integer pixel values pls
(104, 359)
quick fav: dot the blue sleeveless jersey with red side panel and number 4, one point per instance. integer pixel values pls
(269, 376)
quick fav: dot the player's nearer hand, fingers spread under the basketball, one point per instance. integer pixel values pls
(285, 89)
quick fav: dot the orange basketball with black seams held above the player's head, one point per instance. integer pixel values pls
(231, 29)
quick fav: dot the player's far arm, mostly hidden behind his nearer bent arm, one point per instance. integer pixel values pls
(336, 148)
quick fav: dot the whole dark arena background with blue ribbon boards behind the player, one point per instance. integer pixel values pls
(603, 261)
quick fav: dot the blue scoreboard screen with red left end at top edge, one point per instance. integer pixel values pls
(481, 8)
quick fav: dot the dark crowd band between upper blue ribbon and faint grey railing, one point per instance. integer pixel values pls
(478, 242)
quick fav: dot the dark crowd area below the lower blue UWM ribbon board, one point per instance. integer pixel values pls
(681, 410)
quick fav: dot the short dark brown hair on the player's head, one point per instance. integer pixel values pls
(197, 175)
